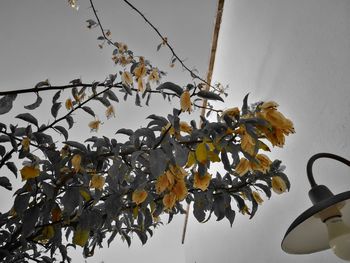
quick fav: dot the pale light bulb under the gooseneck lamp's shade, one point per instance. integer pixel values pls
(339, 237)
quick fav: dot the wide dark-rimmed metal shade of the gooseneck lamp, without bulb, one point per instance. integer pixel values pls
(308, 234)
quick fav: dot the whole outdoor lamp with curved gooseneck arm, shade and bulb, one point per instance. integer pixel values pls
(324, 225)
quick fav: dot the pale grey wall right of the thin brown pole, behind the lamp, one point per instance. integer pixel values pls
(298, 54)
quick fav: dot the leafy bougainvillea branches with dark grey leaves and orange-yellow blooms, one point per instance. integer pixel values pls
(82, 193)
